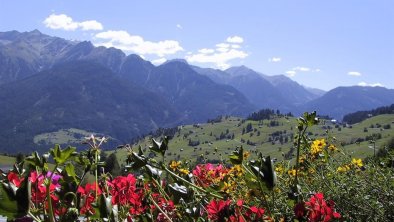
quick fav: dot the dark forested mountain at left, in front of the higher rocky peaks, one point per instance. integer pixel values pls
(81, 95)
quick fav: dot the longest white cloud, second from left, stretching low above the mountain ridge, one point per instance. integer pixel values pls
(136, 44)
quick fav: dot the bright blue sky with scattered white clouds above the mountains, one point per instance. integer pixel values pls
(319, 44)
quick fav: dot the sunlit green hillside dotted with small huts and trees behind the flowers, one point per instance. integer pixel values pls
(259, 138)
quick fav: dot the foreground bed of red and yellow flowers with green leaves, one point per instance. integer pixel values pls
(322, 183)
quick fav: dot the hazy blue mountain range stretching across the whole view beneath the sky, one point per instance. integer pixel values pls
(49, 83)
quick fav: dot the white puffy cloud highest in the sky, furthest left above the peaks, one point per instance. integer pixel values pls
(62, 21)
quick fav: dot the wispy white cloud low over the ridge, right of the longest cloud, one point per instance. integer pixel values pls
(220, 59)
